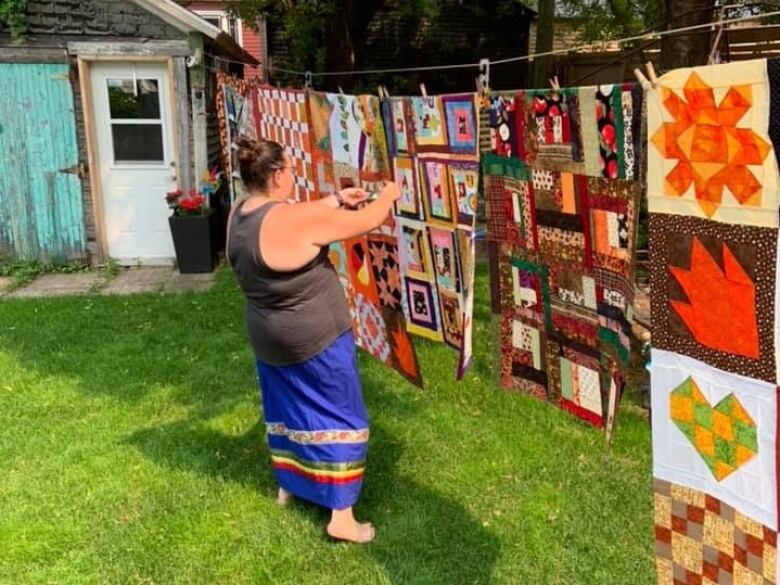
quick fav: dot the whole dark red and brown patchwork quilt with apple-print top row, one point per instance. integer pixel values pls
(562, 207)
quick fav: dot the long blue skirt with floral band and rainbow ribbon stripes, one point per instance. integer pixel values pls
(317, 425)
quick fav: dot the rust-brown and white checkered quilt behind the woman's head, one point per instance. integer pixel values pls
(283, 118)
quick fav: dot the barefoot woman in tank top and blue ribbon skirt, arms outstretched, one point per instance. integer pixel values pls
(301, 331)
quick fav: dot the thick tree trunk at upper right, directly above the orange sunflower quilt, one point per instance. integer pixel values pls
(692, 49)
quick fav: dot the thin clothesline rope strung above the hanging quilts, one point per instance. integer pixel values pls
(530, 57)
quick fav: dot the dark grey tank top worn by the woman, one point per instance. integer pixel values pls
(291, 316)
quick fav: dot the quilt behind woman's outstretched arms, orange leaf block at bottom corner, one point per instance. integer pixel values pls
(349, 149)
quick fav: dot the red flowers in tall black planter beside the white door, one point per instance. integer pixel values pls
(194, 231)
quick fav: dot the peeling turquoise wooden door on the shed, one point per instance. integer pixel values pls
(41, 208)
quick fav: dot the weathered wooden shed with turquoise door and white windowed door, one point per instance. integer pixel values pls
(105, 106)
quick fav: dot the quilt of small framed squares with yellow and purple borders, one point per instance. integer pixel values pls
(433, 145)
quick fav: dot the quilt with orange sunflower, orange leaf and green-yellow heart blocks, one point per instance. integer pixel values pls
(713, 198)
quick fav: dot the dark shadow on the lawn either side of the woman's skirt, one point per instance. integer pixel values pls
(423, 536)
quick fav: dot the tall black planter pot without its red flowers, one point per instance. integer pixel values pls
(195, 240)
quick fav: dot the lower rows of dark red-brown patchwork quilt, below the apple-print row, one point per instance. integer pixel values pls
(563, 255)
